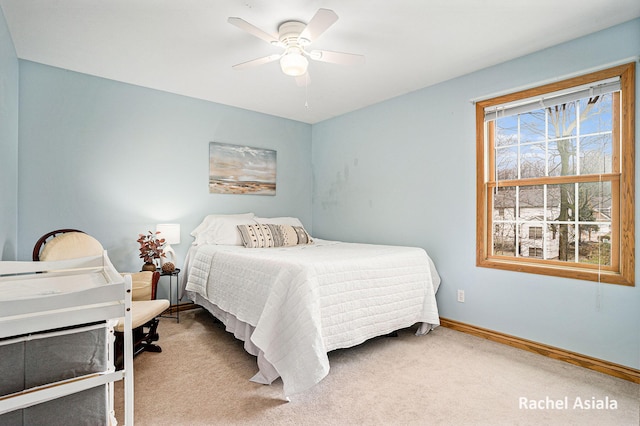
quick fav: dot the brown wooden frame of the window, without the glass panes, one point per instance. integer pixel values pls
(622, 269)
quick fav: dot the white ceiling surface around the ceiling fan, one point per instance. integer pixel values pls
(187, 47)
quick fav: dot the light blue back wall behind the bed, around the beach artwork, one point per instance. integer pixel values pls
(114, 160)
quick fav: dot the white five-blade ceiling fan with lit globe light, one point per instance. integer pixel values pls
(294, 37)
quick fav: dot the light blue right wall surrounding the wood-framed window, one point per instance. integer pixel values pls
(403, 172)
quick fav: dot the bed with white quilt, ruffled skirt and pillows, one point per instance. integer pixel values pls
(292, 299)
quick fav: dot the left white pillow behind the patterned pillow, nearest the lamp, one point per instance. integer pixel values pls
(221, 229)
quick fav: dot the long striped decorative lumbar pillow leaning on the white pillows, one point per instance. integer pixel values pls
(271, 235)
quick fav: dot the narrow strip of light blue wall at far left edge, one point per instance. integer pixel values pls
(8, 144)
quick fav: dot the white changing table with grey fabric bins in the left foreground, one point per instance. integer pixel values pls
(56, 342)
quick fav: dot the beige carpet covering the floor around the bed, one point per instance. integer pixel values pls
(444, 378)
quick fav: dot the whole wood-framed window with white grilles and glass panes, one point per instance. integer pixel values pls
(555, 178)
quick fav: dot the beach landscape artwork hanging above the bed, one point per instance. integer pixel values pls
(236, 169)
